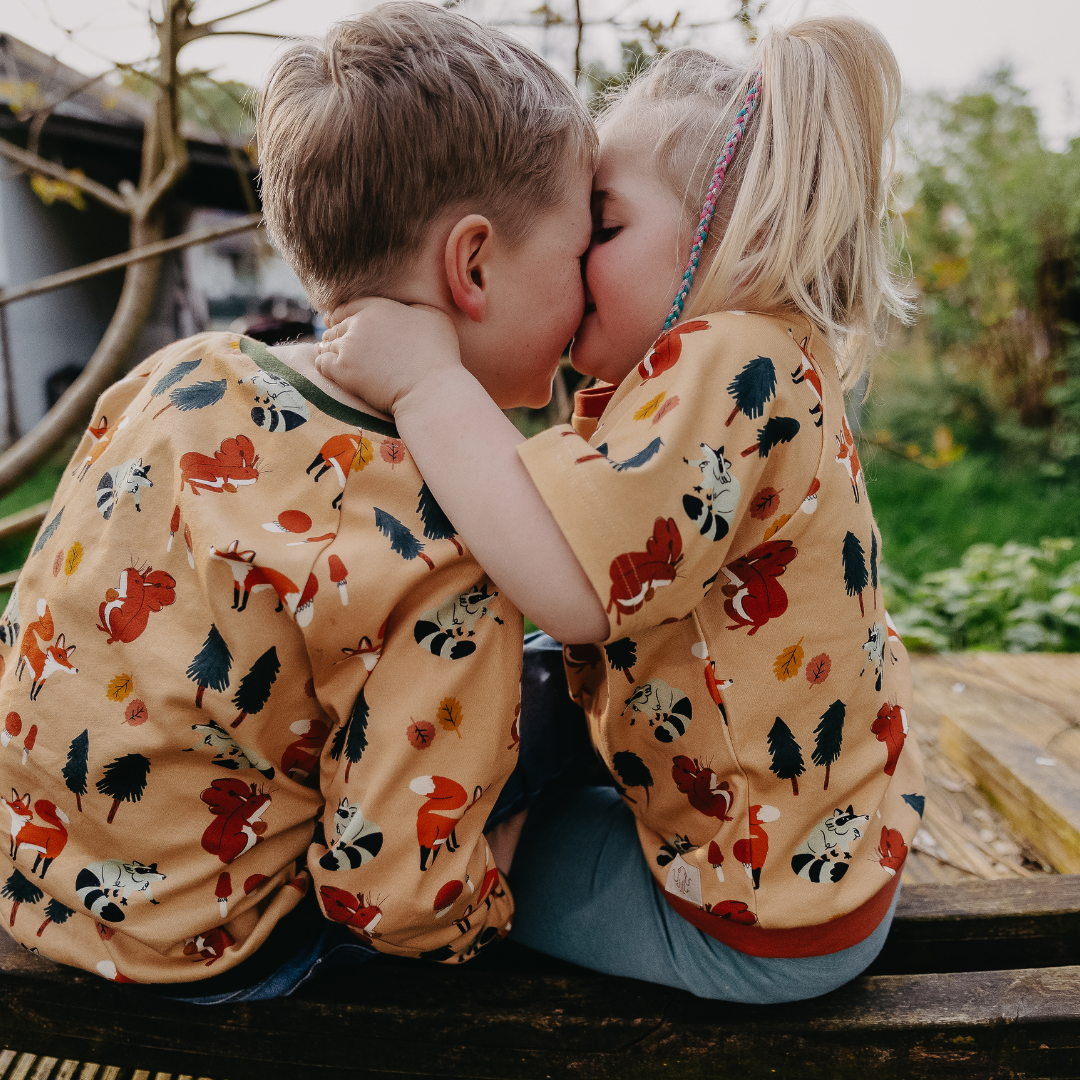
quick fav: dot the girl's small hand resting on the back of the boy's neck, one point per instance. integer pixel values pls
(380, 350)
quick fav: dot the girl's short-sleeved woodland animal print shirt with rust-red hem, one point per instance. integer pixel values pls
(752, 698)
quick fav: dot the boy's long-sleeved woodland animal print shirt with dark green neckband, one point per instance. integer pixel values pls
(248, 656)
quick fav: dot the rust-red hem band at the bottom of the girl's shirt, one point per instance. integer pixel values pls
(793, 942)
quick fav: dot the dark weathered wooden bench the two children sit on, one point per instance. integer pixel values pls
(979, 980)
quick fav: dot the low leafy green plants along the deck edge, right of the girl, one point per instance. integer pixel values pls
(1014, 599)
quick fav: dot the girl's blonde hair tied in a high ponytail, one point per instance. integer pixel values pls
(803, 218)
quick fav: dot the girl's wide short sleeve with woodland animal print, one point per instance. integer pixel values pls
(711, 423)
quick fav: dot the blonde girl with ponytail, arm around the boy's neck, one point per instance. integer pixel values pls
(707, 519)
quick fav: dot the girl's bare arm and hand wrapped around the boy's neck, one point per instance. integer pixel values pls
(467, 452)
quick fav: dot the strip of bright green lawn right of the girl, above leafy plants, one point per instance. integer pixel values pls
(930, 518)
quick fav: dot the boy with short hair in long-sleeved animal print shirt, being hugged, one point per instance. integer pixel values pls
(253, 655)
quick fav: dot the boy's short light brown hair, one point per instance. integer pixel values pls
(395, 117)
